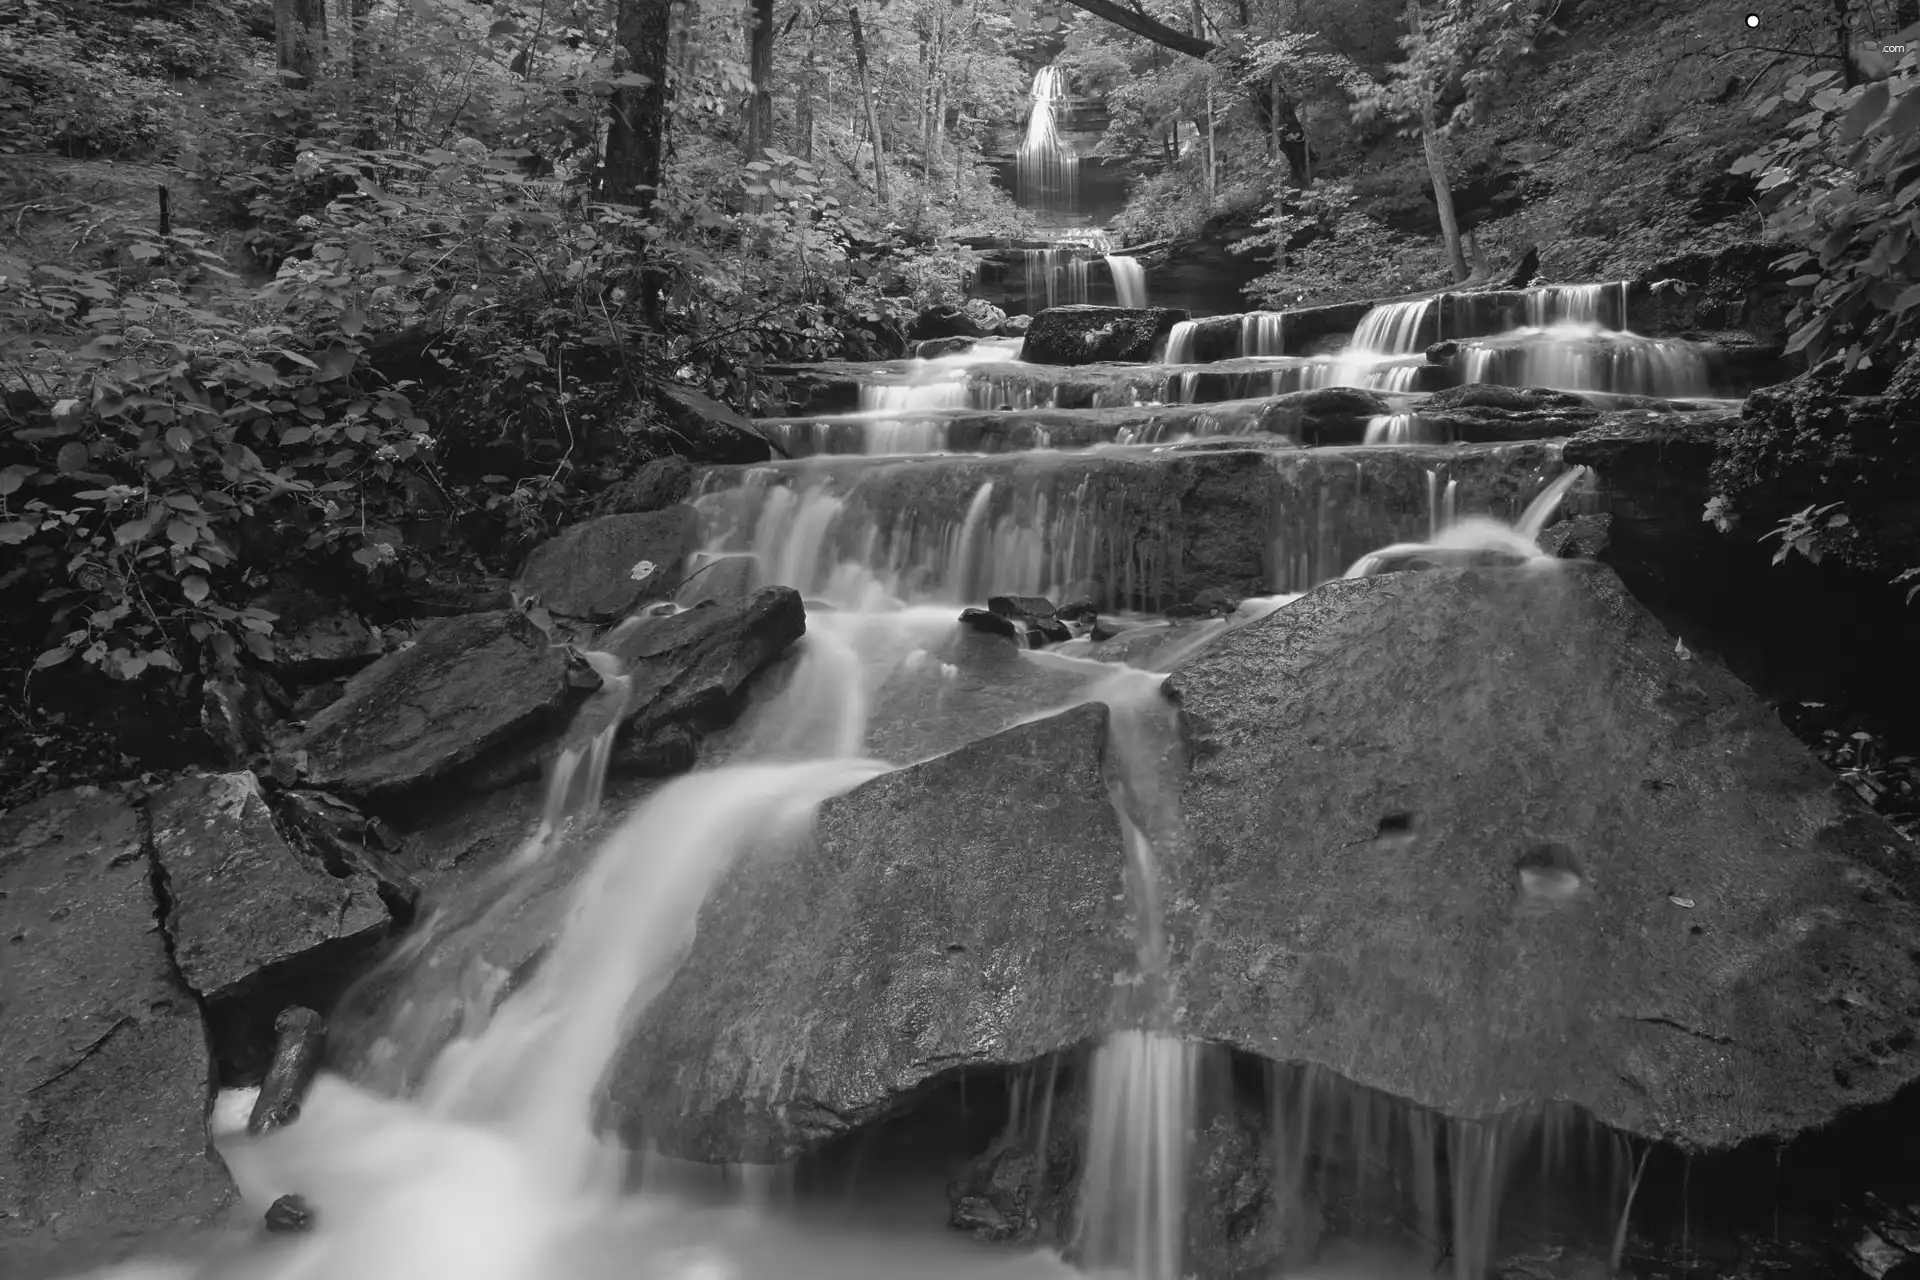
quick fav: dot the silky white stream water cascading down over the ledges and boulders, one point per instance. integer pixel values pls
(460, 1135)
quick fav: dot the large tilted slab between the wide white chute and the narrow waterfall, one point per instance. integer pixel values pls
(965, 911)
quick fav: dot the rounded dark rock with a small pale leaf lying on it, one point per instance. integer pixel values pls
(602, 569)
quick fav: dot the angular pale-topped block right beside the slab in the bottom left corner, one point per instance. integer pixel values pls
(251, 914)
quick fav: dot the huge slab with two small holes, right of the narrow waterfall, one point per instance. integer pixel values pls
(1524, 851)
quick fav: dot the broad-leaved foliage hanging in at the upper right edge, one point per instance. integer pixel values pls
(1844, 179)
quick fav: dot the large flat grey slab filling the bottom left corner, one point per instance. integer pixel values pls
(105, 1079)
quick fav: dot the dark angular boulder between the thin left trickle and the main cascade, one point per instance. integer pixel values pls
(692, 669)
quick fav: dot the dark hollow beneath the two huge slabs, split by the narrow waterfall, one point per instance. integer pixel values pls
(967, 1149)
